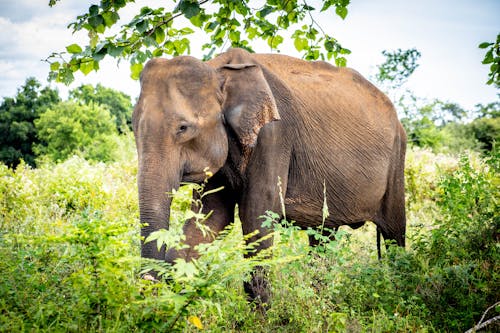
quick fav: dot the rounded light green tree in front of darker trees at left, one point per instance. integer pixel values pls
(70, 128)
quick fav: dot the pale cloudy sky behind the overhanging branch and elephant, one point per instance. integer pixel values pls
(446, 32)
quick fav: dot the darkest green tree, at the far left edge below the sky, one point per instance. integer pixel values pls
(17, 114)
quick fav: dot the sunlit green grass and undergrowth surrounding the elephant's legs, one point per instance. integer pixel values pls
(69, 243)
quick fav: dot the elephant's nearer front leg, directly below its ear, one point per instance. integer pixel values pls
(267, 176)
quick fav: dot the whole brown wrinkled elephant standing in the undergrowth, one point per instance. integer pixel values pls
(253, 119)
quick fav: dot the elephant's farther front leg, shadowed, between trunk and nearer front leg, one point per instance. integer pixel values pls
(220, 205)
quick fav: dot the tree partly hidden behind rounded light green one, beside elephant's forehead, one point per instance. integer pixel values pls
(118, 103)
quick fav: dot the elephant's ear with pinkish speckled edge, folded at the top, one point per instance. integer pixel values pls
(248, 101)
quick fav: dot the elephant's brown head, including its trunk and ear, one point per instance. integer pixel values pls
(181, 131)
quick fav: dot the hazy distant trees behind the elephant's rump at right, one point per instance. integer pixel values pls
(438, 125)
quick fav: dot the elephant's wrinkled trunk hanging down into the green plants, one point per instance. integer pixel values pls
(156, 180)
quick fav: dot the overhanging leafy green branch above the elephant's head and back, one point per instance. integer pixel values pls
(155, 31)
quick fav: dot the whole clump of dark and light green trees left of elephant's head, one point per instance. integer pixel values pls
(94, 123)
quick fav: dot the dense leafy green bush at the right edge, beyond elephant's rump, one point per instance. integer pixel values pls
(462, 248)
